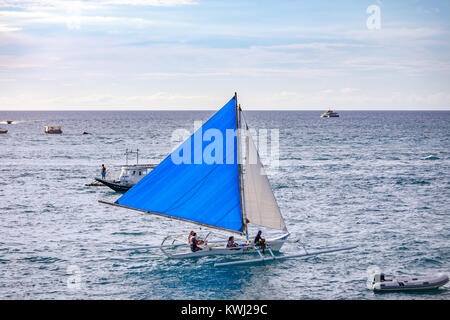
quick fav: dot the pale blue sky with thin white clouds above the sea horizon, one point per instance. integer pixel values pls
(194, 54)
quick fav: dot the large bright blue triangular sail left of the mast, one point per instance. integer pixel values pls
(204, 187)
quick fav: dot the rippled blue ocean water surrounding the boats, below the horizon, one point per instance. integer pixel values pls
(379, 180)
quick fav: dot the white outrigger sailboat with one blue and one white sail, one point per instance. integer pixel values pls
(227, 190)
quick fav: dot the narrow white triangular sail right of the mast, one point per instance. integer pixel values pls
(261, 207)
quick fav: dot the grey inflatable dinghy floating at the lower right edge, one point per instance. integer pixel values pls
(407, 283)
